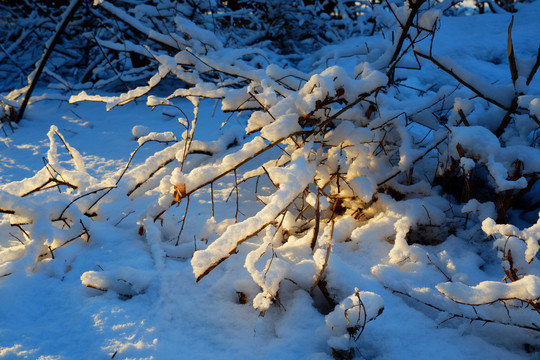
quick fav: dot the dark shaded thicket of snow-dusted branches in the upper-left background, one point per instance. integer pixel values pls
(87, 58)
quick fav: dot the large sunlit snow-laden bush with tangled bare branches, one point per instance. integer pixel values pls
(383, 147)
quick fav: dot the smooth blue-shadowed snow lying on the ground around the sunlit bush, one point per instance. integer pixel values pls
(48, 313)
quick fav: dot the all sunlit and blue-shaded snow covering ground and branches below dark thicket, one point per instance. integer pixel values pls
(172, 229)
